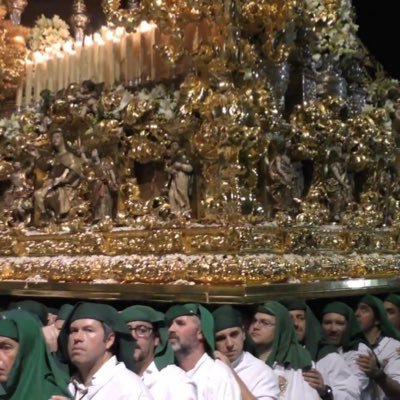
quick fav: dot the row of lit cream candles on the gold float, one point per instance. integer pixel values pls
(108, 56)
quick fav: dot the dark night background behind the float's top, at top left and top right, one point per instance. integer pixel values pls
(379, 24)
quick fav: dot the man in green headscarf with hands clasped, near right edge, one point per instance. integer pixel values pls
(382, 364)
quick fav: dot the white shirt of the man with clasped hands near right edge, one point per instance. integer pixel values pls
(388, 354)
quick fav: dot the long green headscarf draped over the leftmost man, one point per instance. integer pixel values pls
(34, 374)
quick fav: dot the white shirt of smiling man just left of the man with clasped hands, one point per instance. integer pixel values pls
(339, 377)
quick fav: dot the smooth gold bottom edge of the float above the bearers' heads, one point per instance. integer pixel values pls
(240, 294)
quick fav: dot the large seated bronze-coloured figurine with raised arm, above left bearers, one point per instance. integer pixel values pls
(57, 195)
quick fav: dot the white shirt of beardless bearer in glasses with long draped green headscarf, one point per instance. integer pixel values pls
(292, 385)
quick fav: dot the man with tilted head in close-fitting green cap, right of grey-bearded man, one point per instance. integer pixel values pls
(257, 381)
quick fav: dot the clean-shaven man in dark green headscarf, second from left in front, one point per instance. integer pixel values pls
(98, 347)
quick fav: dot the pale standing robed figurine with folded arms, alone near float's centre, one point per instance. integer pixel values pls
(179, 172)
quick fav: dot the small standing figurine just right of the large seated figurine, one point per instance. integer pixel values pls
(104, 187)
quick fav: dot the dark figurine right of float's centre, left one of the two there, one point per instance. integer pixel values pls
(285, 182)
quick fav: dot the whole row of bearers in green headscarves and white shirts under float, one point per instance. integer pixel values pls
(270, 351)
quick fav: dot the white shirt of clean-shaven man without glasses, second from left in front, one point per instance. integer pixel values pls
(112, 381)
